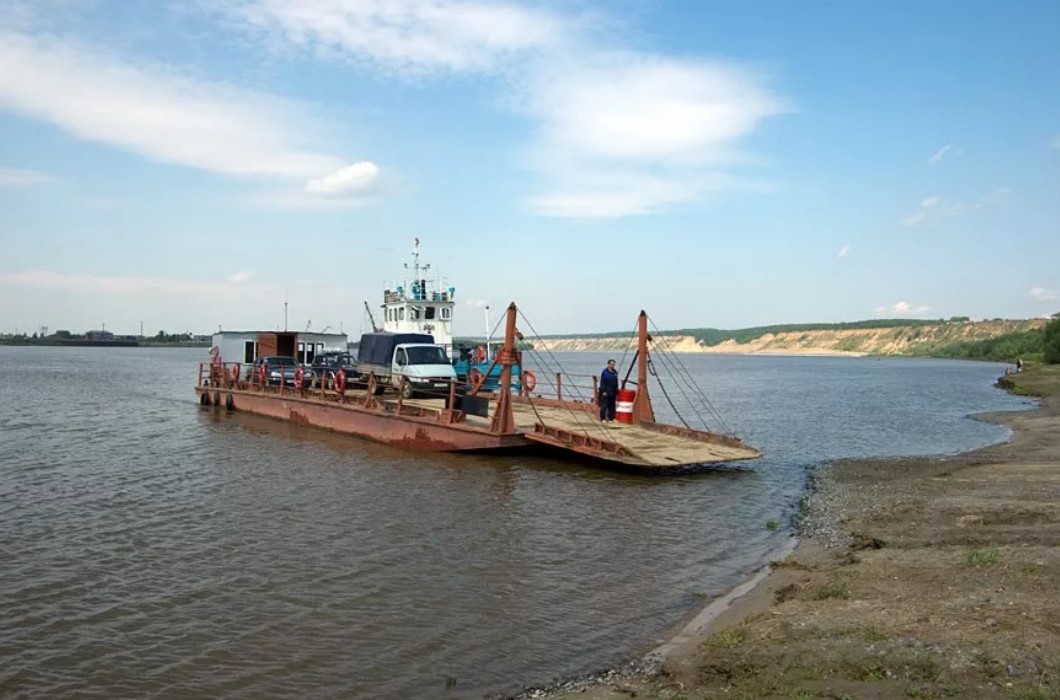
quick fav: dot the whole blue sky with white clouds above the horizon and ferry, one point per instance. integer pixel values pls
(192, 165)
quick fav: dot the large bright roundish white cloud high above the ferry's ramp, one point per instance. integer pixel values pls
(623, 134)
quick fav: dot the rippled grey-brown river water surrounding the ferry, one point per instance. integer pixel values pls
(150, 548)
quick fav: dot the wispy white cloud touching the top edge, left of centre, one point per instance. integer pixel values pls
(404, 37)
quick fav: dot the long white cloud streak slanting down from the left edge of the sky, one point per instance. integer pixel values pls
(155, 113)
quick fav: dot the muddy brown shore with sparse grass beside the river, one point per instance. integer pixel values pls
(911, 579)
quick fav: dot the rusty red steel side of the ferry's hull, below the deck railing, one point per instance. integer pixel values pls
(423, 433)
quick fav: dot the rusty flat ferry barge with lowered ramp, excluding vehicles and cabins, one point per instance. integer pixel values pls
(472, 417)
